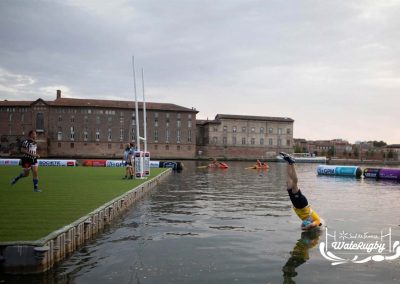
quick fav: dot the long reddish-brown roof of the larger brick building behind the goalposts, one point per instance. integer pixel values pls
(71, 102)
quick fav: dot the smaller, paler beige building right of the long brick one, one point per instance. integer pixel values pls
(243, 136)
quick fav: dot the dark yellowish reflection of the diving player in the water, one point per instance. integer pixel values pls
(300, 253)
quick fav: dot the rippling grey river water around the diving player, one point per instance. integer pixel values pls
(237, 226)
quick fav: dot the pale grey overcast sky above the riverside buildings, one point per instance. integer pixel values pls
(332, 66)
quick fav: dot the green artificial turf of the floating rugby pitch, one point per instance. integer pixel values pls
(68, 193)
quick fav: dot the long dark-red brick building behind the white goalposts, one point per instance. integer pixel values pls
(84, 128)
